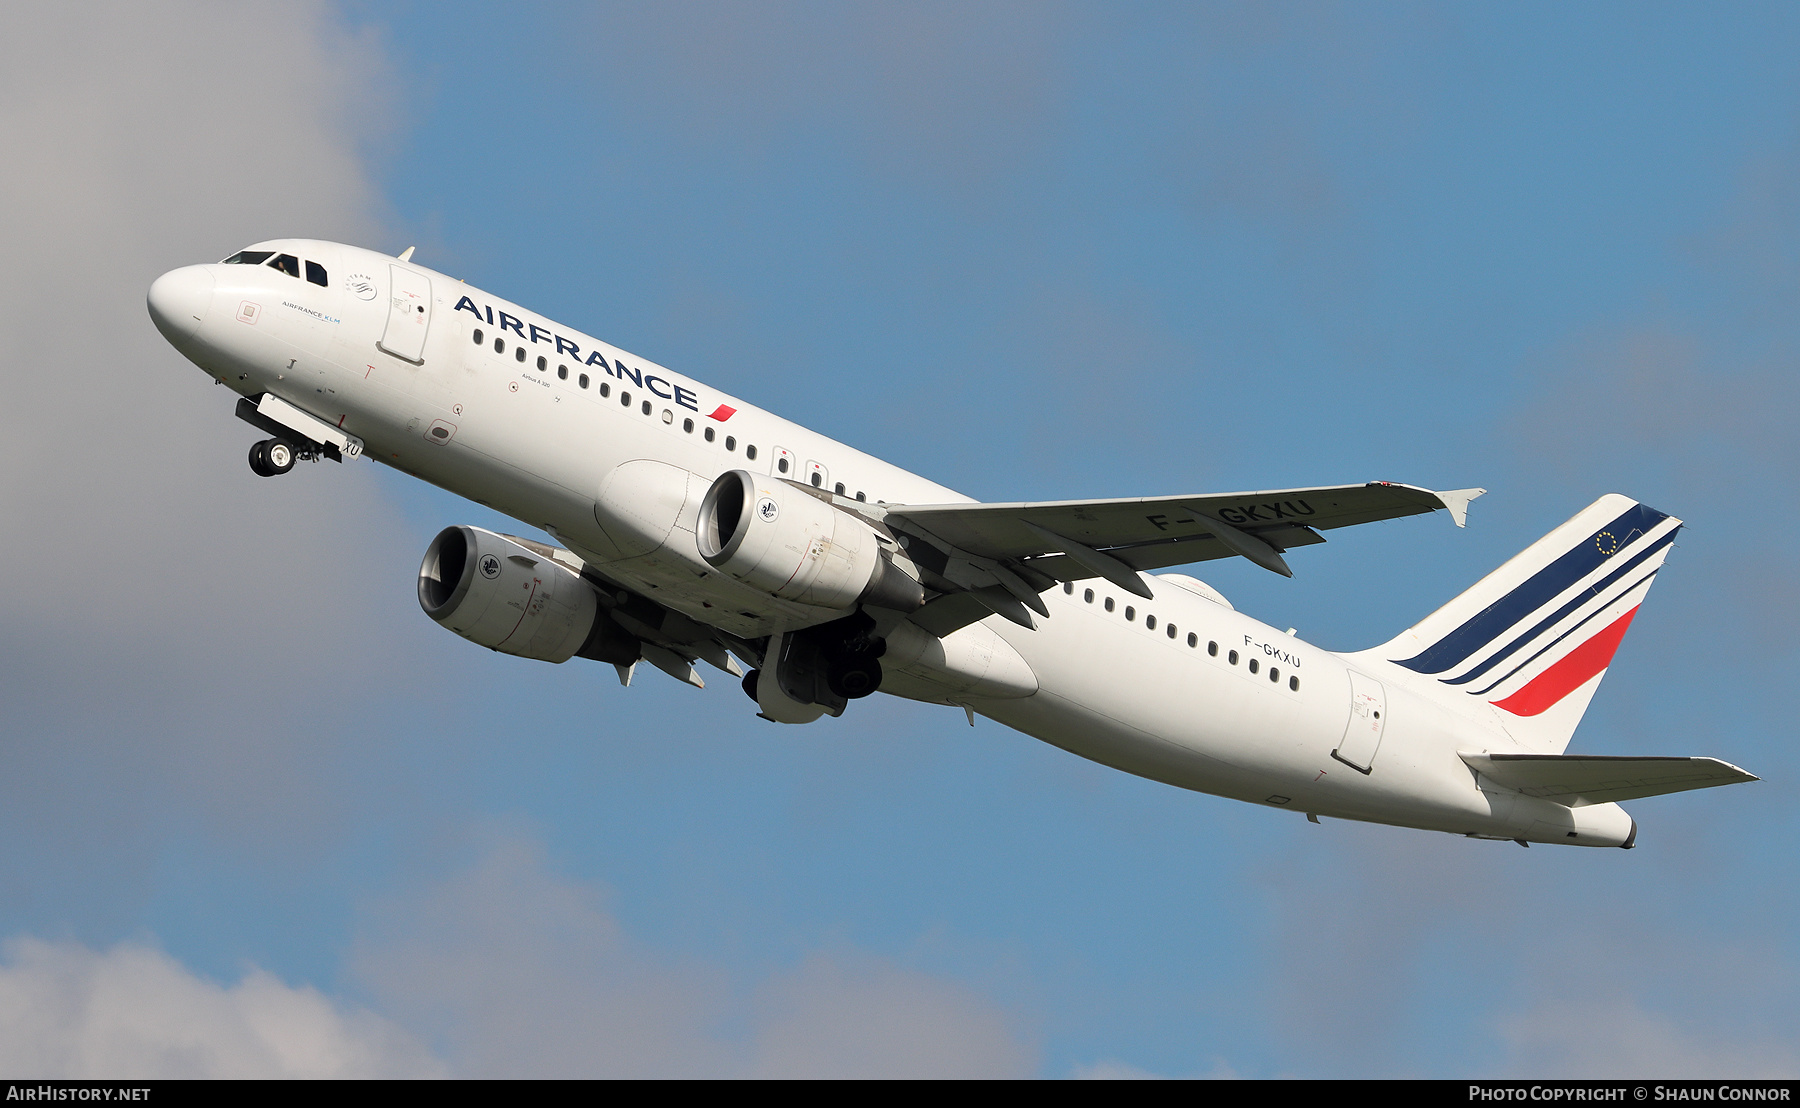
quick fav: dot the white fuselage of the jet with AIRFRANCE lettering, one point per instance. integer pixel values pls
(544, 449)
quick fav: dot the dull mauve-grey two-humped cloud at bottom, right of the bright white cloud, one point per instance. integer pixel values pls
(519, 972)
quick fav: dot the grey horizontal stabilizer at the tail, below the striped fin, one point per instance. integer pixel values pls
(1578, 780)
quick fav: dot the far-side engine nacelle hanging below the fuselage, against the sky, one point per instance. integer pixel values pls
(508, 598)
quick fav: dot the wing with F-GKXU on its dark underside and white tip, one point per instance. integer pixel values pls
(1007, 553)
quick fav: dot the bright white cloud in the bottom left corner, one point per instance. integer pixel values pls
(130, 1012)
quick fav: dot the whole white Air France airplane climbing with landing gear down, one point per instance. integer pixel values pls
(697, 528)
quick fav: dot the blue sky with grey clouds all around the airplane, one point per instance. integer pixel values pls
(1027, 251)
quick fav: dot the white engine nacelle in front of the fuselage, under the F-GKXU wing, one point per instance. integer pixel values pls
(798, 548)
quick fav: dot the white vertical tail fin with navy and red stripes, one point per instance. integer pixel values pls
(1536, 636)
